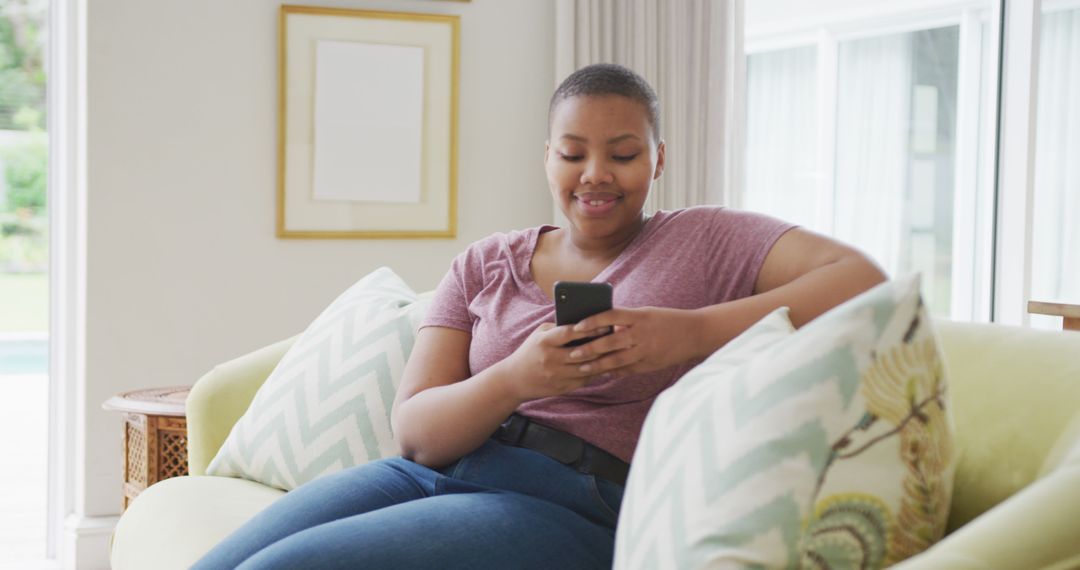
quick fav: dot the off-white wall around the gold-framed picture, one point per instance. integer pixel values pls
(184, 269)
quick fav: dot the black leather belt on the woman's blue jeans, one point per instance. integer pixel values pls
(563, 447)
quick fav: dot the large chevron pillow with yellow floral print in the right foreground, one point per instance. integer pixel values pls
(829, 447)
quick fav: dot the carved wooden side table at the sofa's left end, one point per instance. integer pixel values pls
(156, 437)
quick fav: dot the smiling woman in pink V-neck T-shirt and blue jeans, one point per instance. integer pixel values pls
(516, 449)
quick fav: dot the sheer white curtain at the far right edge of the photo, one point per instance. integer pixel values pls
(1056, 249)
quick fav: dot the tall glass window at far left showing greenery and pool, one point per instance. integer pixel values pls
(24, 283)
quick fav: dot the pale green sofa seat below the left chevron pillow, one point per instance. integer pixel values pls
(177, 522)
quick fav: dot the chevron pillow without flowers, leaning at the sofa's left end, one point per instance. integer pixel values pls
(327, 406)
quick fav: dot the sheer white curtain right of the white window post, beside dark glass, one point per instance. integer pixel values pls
(872, 142)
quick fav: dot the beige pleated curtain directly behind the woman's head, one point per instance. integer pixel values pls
(691, 51)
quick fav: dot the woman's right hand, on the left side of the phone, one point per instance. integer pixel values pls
(543, 368)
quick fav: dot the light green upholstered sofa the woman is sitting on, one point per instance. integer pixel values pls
(1017, 501)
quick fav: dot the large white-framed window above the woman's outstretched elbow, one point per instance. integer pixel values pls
(873, 123)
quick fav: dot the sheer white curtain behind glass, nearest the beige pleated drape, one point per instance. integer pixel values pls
(782, 169)
